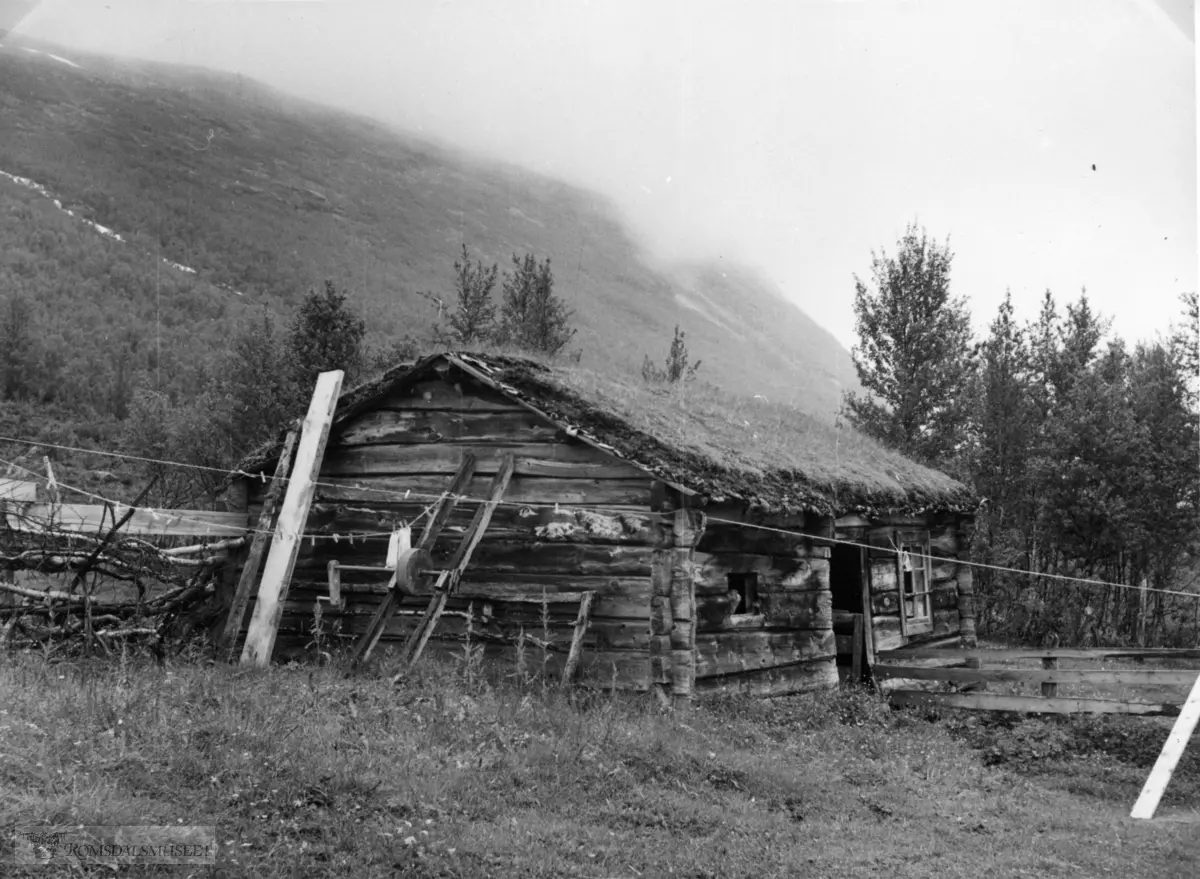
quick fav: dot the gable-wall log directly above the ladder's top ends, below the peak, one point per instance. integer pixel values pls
(392, 427)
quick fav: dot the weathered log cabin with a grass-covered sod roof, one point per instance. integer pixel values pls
(724, 545)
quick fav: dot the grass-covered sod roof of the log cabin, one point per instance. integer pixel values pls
(770, 457)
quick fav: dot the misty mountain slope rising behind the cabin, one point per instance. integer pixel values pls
(199, 196)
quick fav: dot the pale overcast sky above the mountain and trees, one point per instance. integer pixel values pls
(791, 136)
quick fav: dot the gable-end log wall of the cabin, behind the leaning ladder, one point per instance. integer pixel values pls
(573, 519)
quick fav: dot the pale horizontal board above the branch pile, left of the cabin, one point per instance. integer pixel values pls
(88, 518)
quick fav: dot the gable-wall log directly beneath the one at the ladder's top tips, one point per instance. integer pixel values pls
(530, 491)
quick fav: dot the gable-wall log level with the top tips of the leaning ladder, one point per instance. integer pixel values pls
(563, 461)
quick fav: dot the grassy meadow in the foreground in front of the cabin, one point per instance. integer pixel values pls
(309, 772)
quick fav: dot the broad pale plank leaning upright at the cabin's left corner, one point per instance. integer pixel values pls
(281, 560)
